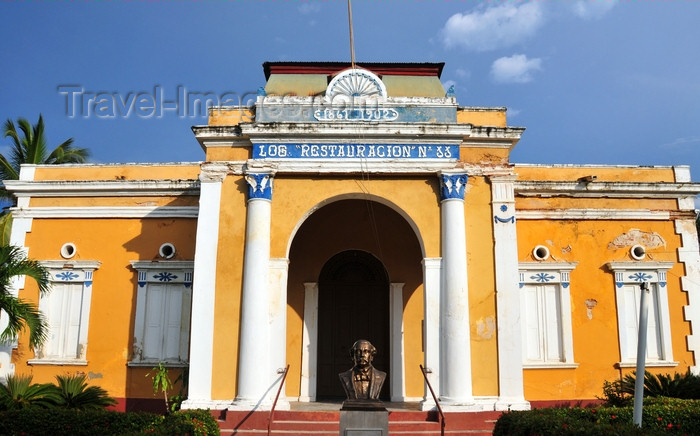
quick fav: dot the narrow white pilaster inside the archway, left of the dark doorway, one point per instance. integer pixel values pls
(309, 346)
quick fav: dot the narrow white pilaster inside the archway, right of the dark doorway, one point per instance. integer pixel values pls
(398, 391)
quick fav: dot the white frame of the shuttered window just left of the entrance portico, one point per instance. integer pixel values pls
(160, 272)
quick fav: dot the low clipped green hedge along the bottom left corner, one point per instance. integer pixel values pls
(71, 422)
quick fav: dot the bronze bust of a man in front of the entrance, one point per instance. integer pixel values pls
(362, 381)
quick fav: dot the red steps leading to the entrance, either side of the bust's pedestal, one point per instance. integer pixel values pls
(327, 423)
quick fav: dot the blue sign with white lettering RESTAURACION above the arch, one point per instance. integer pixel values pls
(355, 151)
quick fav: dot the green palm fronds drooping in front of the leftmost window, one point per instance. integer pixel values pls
(14, 263)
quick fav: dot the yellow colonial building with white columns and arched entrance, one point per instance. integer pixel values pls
(353, 203)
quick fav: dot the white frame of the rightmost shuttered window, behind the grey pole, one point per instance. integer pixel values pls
(635, 273)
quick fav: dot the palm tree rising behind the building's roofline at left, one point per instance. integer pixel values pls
(29, 147)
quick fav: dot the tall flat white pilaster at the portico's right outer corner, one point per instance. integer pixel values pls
(510, 358)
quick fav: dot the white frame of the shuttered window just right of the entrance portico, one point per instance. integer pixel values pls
(549, 273)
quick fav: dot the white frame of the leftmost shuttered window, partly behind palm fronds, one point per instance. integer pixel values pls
(64, 272)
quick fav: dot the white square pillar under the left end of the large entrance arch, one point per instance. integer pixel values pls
(278, 326)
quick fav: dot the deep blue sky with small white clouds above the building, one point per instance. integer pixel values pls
(593, 81)
